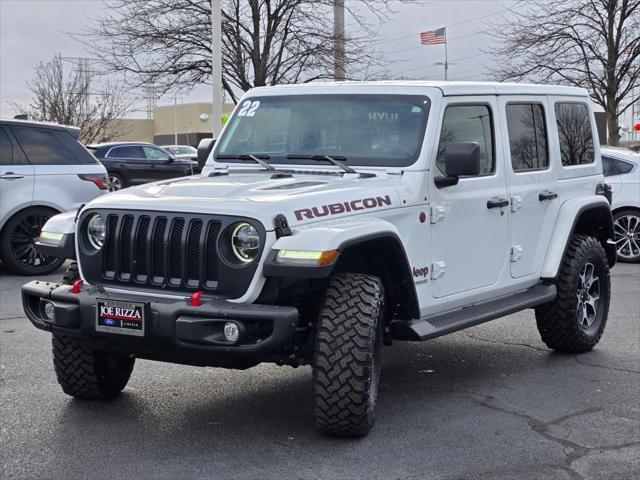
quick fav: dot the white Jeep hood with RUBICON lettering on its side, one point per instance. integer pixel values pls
(302, 198)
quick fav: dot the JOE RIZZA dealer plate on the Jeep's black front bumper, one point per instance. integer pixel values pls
(121, 316)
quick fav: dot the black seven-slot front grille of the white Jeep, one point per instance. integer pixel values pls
(169, 251)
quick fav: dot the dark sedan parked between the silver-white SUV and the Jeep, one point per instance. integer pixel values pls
(134, 163)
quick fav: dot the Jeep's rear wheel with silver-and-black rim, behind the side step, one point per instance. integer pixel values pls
(575, 320)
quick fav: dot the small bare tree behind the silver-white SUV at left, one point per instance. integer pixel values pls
(65, 98)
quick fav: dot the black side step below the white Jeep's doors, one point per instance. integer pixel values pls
(443, 323)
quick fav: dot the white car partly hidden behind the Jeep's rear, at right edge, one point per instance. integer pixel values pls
(621, 168)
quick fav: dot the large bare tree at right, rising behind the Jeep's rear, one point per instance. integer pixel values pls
(594, 44)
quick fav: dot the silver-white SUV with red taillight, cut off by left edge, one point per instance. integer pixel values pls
(44, 170)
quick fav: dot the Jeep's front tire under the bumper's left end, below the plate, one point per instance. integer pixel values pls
(87, 374)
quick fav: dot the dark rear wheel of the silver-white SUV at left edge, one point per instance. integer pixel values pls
(18, 243)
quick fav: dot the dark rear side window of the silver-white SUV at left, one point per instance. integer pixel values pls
(50, 147)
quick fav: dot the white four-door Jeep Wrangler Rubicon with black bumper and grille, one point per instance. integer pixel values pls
(331, 219)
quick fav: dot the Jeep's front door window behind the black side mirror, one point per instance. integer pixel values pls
(468, 123)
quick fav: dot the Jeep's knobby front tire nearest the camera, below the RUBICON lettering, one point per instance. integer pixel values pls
(347, 357)
